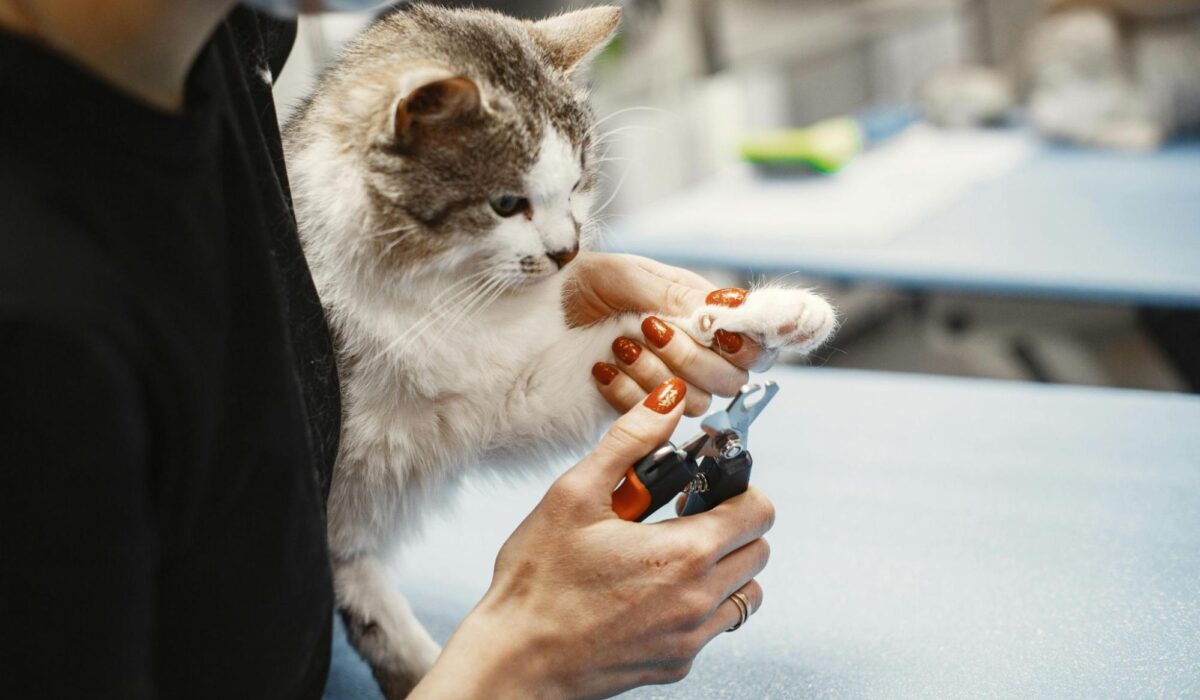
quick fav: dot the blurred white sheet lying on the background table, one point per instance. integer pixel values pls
(881, 194)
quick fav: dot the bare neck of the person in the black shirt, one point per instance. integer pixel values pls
(143, 47)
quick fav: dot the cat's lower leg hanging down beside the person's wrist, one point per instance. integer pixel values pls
(381, 625)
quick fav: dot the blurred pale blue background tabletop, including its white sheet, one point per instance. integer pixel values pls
(1066, 224)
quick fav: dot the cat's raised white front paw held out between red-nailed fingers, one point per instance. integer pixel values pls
(778, 319)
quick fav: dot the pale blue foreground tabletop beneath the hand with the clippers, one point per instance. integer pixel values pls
(935, 539)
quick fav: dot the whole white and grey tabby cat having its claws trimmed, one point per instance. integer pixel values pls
(443, 175)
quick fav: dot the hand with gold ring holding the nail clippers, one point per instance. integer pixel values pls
(584, 605)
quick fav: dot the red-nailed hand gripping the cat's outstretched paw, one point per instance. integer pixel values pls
(605, 284)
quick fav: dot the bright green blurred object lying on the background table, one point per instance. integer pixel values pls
(826, 146)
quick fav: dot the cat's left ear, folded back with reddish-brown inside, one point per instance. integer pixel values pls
(434, 98)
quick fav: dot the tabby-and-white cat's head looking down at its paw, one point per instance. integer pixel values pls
(472, 137)
